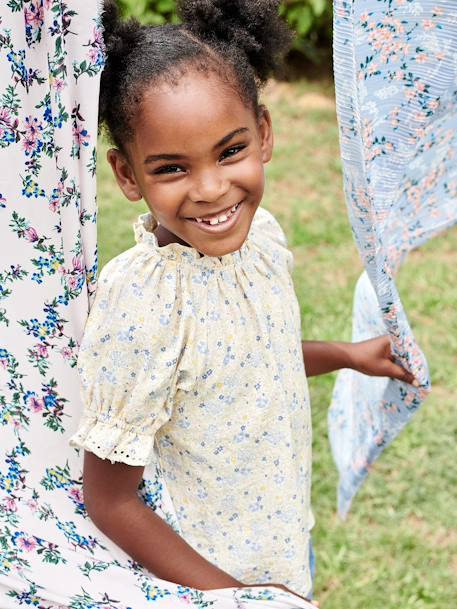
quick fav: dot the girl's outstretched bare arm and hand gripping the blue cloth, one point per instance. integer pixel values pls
(372, 357)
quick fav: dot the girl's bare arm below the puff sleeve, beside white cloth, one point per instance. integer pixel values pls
(110, 493)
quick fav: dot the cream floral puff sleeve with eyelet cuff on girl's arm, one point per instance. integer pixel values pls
(128, 360)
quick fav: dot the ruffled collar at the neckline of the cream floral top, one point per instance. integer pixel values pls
(176, 252)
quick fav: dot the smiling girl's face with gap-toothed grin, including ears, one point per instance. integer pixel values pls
(197, 158)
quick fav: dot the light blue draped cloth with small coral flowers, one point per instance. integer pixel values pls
(396, 88)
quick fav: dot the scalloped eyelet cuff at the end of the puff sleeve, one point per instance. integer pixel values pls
(118, 444)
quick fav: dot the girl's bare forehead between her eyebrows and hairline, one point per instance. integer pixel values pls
(197, 108)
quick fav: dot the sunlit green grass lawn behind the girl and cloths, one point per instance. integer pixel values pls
(398, 549)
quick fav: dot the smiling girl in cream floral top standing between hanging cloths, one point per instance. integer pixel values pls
(192, 357)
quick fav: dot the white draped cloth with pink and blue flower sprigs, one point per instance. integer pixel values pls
(51, 555)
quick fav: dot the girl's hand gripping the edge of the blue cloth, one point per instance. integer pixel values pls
(374, 357)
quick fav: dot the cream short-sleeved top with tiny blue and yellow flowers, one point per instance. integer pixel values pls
(196, 363)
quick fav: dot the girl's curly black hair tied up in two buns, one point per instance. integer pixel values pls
(242, 41)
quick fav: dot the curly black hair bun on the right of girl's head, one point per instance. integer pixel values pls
(252, 25)
